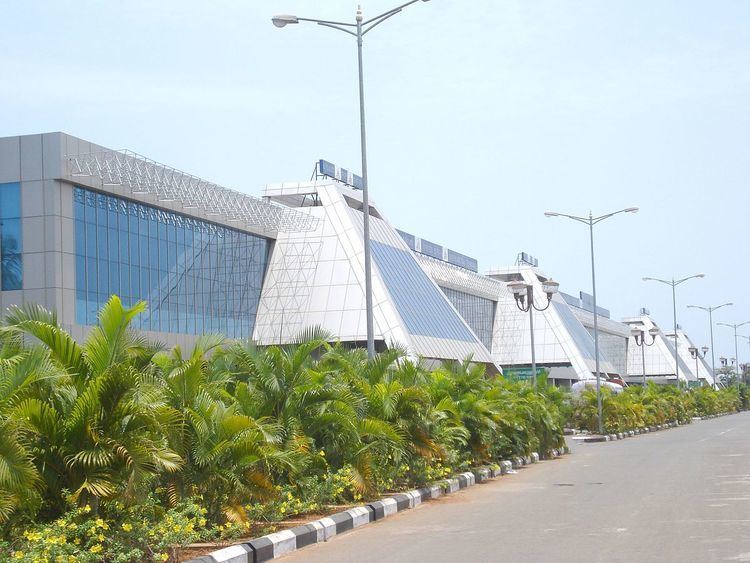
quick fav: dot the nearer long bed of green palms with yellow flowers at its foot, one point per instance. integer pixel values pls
(115, 450)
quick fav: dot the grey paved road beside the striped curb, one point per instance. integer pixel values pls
(678, 495)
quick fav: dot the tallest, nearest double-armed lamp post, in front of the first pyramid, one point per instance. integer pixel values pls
(358, 29)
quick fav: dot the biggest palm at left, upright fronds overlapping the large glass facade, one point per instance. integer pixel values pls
(99, 430)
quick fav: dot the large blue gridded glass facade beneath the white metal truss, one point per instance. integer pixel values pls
(196, 276)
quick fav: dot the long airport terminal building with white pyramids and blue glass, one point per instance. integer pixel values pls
(80, 222)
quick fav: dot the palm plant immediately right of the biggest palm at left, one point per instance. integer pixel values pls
(228, 454)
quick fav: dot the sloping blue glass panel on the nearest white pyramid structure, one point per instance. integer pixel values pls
(421, 305)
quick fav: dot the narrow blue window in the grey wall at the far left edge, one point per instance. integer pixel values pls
(11, 259)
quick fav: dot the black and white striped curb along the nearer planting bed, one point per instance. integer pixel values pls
(279, 543)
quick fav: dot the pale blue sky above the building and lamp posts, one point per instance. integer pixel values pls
(481, 115)
